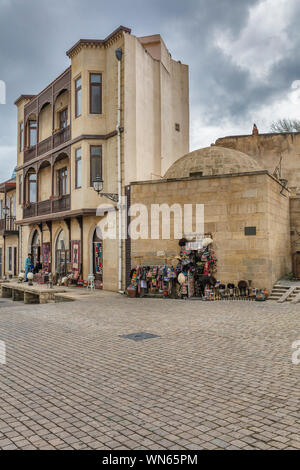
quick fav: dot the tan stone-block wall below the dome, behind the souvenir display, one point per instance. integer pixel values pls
(231, 204)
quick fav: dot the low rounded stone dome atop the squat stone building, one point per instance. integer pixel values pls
(212, 160)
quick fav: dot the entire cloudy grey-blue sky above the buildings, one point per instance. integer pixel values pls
(243, 55)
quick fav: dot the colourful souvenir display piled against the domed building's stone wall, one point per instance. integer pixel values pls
(192, 277)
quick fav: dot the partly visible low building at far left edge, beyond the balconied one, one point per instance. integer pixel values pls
(9, 240)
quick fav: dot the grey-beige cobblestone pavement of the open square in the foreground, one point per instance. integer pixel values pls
(219, 376)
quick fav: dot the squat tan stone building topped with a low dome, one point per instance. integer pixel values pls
(246, 212)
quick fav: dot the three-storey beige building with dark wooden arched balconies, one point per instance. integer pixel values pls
(119, 114)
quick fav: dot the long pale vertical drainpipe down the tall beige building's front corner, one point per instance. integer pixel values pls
(119, 54)
